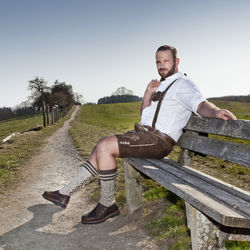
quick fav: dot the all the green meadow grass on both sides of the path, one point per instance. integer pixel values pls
(163, 213)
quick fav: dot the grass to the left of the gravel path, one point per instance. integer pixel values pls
(15, 153)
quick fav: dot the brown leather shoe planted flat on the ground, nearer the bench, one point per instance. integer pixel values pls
(100, 213)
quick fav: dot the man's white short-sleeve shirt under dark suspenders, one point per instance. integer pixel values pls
(182, 98)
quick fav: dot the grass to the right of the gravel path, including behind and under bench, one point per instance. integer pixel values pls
(168, 225)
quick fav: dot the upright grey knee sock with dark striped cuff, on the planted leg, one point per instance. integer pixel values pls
(107, 179)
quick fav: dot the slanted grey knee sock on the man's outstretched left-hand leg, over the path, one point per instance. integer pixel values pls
(83, 176)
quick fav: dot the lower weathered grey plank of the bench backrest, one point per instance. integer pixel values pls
(230, 151)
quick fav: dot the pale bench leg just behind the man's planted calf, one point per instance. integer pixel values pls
(133, 188)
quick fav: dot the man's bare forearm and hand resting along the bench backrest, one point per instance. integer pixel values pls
(209, 110)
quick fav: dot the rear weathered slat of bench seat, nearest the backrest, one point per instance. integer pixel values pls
(207, 186)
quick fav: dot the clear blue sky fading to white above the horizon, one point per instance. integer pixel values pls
(98, 46)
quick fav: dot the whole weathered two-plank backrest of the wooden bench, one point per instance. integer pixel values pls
(195, 139)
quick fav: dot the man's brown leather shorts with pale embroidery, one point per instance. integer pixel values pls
(144, 142)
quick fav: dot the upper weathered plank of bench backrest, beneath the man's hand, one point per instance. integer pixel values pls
(237, 129)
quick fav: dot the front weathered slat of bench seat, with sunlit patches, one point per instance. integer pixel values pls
(203, 202)
